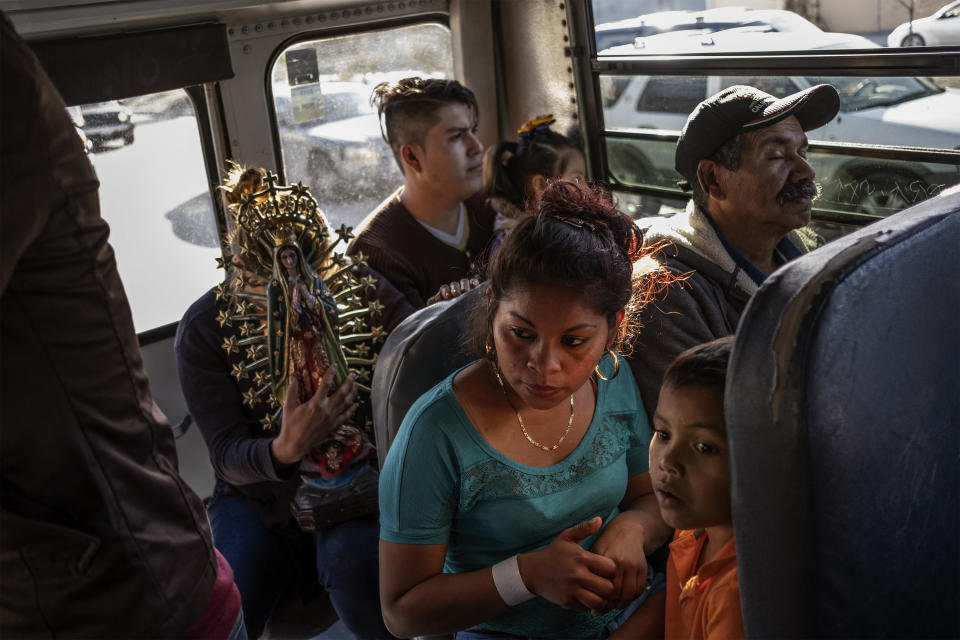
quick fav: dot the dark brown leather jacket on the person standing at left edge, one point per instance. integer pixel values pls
(99, 536)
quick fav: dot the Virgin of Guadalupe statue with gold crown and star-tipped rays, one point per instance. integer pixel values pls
(297, 308)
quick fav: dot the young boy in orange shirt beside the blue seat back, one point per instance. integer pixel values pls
(690, 472)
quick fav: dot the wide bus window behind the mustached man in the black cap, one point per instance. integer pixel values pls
(894, 143)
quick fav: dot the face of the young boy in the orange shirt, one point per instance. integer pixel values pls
(688, 458)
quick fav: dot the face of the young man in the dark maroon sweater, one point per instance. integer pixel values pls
(451, 159)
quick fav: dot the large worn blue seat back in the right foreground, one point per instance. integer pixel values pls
(843, 414)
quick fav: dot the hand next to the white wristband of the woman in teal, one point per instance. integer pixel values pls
(567, 574)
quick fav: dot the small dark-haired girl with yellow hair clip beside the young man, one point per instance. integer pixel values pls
(515, 173)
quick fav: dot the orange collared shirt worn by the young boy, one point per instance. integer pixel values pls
(704, 604)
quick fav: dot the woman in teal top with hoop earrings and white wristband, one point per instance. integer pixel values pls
(515, 501)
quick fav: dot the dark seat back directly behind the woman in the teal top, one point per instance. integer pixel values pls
(420, 352)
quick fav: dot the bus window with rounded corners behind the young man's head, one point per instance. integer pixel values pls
(330, 136)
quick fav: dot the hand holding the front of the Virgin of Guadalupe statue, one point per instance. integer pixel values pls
(306, 425)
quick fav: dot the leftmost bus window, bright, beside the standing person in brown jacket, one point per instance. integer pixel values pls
(154, 194)
